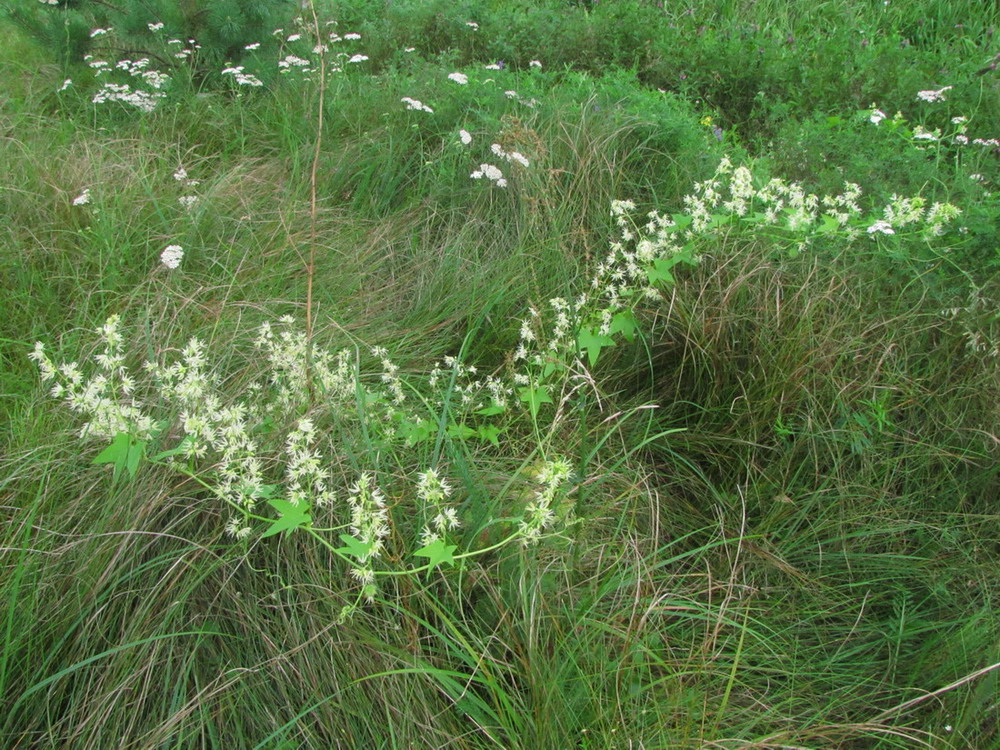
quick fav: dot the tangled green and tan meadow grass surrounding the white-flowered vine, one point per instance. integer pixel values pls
(796, 540)
